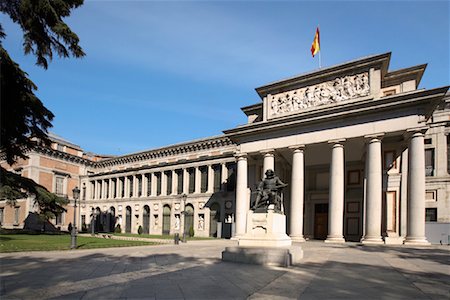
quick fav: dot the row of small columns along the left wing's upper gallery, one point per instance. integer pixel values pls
(112, 187)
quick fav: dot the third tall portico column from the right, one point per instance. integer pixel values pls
(336, 197)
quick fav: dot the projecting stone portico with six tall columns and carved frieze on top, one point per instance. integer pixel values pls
(341, 125)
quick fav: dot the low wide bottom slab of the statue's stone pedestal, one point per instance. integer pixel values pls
(282, 257)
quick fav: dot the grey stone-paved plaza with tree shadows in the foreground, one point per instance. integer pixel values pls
(194, 271)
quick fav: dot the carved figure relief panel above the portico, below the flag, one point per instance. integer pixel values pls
(333, 91)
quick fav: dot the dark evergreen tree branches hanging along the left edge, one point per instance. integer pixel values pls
(24, 119)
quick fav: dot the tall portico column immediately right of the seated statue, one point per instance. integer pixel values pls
(297, 192)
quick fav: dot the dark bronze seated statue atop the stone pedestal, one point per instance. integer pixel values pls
(269, 192)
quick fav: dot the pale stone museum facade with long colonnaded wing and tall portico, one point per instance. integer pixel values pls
(364, 152)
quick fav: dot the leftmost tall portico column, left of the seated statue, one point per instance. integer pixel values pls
(242, 201)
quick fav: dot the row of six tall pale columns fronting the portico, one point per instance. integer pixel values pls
(374, 192)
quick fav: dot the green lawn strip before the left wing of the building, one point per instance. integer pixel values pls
(44, 242)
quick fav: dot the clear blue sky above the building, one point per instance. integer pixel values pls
(158, 73)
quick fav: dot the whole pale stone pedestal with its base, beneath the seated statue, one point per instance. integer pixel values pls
(265, 242)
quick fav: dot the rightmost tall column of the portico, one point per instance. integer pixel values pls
(416, 192)
